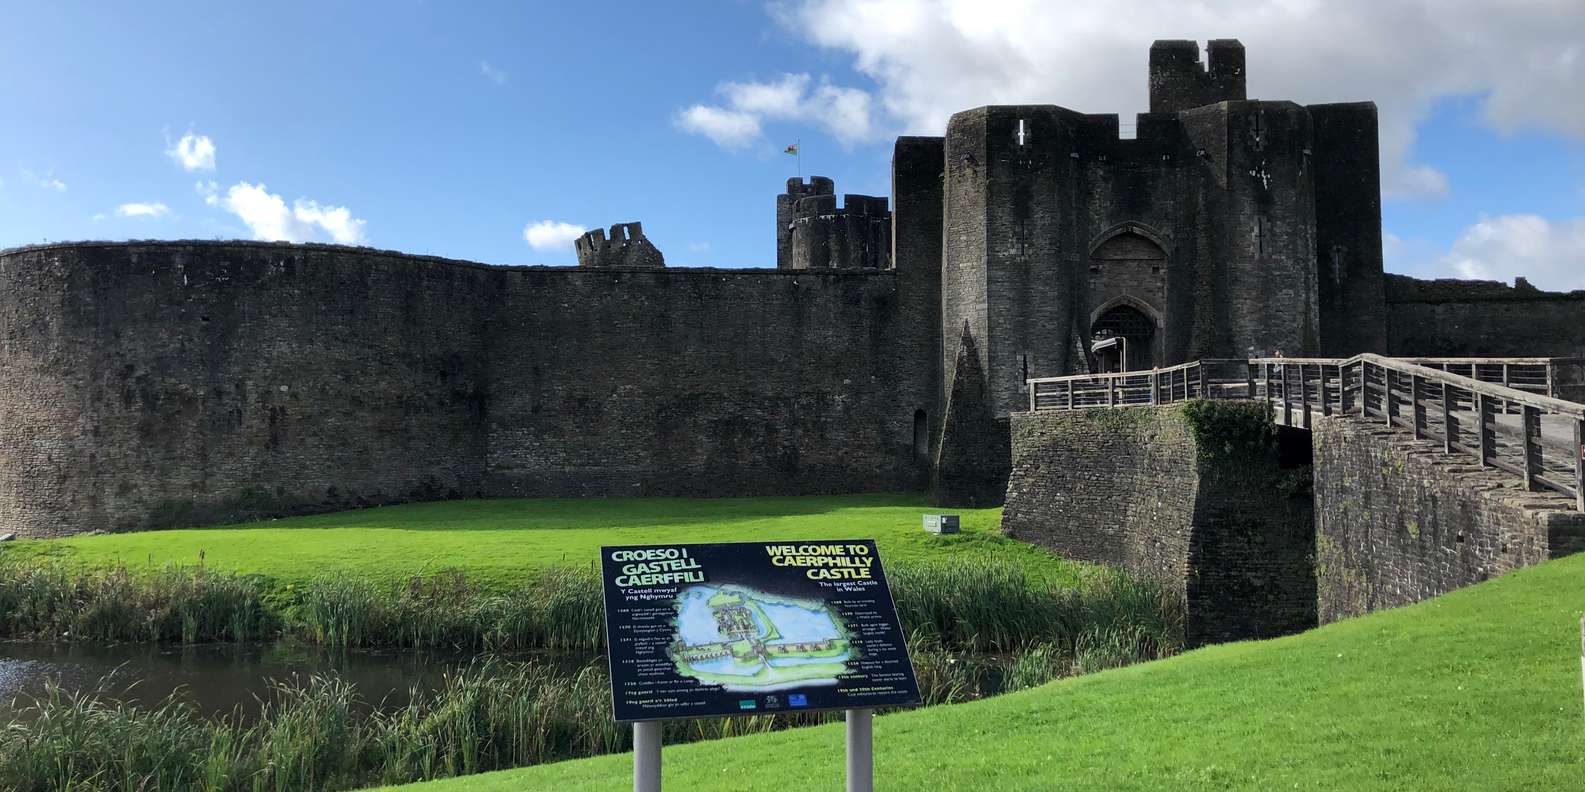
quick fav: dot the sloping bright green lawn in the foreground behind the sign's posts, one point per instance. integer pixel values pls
(1473, 691)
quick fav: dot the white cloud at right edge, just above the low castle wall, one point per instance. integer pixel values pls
(1551, 254)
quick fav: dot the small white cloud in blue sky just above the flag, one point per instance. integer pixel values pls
(844, 113)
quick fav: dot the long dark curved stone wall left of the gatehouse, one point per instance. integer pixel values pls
(167, 384)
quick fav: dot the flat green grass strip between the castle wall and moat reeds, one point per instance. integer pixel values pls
(497, 541)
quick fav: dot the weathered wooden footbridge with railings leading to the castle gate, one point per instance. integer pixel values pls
(1519, 416)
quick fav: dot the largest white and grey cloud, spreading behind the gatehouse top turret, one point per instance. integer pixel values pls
(934, 58)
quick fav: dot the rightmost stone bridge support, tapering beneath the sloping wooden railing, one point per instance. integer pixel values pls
(1399, 520)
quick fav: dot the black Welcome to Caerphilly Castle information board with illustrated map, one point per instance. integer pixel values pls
(752, 628)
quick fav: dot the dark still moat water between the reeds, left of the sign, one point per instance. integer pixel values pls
(224, 679)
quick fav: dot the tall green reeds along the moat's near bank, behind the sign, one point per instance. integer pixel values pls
(321, 734)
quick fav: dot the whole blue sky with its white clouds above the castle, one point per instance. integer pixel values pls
(453, 128)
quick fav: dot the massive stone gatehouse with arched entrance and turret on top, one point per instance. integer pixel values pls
(1199, 237)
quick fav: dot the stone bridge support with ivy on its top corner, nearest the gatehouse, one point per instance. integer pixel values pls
(1194, 495)
